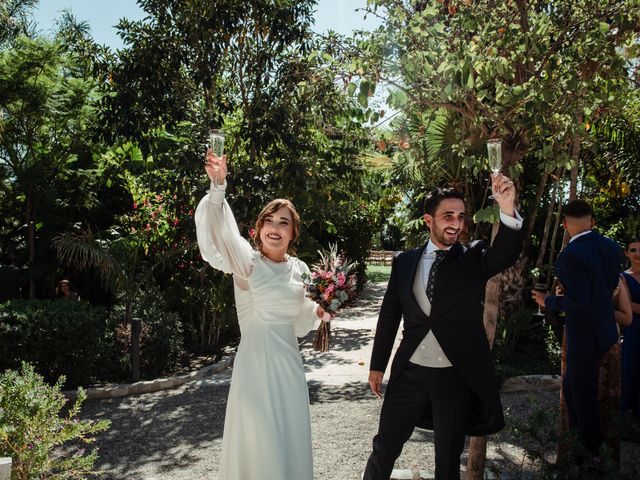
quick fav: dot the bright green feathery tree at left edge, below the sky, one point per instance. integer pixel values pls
(46, 114)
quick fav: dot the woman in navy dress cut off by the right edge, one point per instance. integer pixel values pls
(631, 335)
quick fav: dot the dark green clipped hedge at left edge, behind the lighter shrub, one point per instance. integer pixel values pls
(59, 337)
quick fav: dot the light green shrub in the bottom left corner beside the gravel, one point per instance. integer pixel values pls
(31, 426)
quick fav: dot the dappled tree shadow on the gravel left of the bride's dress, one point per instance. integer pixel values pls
(170, 429)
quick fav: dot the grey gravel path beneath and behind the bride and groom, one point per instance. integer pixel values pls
(177, 434)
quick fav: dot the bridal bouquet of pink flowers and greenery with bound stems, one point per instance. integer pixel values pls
(332, 285)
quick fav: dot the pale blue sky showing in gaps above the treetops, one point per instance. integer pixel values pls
(102, 16)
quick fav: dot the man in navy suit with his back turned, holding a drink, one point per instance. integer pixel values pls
(588, 269)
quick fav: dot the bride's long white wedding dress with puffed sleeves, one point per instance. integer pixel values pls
(267, 428)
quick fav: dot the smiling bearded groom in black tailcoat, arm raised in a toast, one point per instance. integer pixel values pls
(442, 376)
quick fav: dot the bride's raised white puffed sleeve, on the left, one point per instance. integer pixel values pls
(218, 236)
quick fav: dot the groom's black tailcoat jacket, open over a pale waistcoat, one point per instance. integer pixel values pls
(456, 320)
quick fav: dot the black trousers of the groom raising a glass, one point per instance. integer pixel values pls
(403, 406)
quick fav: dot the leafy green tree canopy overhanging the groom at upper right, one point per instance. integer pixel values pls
(535, 74)
